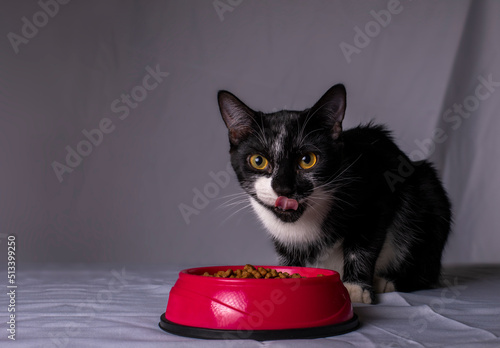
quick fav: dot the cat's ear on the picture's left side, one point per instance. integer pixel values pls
(237, 116)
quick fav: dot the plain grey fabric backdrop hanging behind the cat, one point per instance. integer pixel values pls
(64, 70)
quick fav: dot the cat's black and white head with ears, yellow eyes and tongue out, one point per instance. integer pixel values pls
(284, 160)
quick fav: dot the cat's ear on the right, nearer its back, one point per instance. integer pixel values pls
(332, 106)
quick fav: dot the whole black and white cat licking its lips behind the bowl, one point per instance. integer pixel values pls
(350, 200)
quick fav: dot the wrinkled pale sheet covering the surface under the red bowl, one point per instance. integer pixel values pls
(120, 306)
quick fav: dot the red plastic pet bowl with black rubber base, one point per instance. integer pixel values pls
(260, 309)
